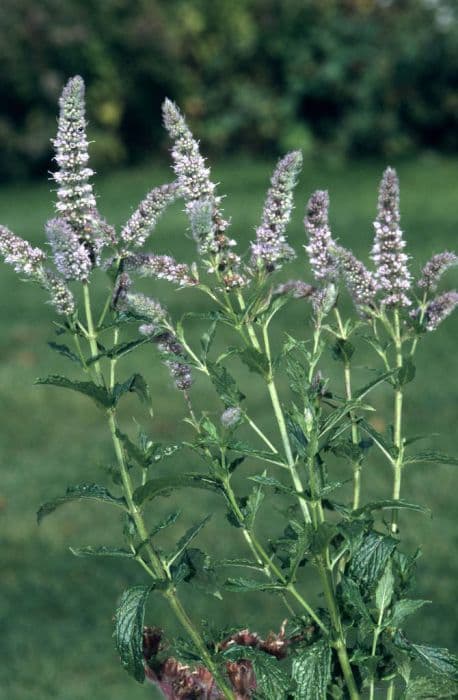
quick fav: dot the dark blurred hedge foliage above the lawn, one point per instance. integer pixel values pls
(334, 77)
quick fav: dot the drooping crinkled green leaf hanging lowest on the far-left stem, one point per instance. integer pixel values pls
(129, 630)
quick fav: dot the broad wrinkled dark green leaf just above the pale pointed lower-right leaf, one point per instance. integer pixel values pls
(369, 560)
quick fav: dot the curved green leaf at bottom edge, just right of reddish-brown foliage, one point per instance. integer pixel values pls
(272, 683)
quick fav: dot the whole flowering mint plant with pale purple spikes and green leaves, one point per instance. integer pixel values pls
(351, 643)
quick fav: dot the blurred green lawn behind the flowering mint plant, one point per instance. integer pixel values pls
(55, 609)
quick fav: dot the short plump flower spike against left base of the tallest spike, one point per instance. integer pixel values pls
(71, 257)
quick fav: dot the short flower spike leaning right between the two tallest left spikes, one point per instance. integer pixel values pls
(144, 219)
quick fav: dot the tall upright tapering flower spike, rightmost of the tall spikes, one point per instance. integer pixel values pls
(392, 275)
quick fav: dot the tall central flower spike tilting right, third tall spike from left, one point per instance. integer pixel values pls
(270, 248)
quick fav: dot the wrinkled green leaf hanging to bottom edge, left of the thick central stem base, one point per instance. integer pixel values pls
(311, 669)
